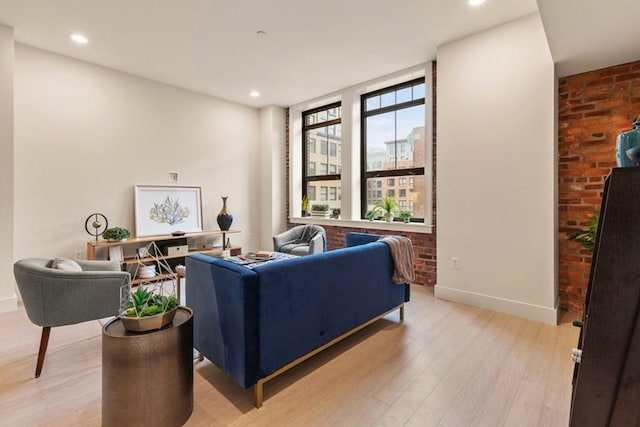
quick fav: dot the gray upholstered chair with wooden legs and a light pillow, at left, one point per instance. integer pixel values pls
(64, 296)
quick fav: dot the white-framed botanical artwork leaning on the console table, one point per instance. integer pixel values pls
(165, 209)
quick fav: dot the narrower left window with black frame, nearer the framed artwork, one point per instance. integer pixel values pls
(322, 125)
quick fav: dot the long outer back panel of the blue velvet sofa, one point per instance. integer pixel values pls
(308, 301)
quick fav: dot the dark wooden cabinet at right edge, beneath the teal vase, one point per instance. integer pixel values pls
(606, 381)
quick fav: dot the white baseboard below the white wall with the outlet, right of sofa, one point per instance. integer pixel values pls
(537, 313)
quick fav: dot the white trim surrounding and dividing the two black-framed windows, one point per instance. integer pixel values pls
(350, 174)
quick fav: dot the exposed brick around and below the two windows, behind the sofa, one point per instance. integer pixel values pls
(424, 245)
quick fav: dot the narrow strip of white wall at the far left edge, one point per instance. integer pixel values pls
(8, 298)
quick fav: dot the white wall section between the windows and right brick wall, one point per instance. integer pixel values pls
(496, 171)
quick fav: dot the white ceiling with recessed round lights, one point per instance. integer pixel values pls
(312, 47)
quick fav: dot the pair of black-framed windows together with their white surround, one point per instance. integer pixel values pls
(388, 135)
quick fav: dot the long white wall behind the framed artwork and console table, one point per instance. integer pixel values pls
(85, 135)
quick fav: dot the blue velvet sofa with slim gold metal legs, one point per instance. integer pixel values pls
(255, 323)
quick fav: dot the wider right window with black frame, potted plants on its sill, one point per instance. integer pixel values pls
(393, 119)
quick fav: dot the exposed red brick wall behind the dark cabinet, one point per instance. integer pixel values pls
(593, 109)
